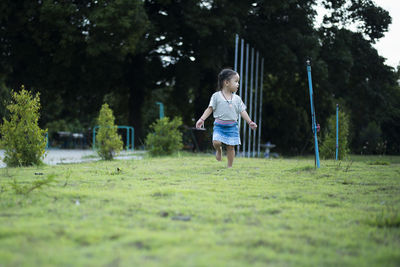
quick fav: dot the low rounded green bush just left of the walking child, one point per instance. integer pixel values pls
(165, 138)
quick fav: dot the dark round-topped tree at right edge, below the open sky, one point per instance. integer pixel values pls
(358, 76)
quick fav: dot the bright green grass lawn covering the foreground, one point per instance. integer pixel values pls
(189, 210)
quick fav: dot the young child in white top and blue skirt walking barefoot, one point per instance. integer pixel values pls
(226, 108)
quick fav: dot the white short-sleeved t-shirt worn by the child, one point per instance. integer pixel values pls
(227, 110)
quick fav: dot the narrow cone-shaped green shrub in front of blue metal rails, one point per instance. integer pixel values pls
(108, 141)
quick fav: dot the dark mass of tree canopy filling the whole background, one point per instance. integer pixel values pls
(130, 54)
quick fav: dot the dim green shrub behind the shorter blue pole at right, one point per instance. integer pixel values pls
(328, 146)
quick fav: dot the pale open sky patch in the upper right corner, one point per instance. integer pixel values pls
(388, 46)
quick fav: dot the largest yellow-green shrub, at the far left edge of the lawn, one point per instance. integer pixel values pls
(22, 139)
